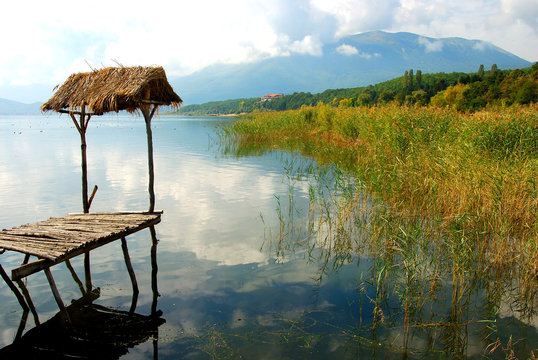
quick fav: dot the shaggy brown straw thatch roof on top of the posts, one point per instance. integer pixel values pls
(114, 89)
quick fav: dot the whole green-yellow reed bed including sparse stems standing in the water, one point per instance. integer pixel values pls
(425, 192)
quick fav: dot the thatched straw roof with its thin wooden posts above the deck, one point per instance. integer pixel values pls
(113, 89)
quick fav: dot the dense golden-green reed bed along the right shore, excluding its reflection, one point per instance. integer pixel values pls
(471, 179)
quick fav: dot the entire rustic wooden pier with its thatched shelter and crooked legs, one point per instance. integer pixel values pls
(54, 241)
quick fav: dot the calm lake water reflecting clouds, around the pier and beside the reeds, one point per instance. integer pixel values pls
(229, 286)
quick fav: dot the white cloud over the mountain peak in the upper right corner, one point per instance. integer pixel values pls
(509, 24)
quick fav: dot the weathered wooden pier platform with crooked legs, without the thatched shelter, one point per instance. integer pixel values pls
(59, 239)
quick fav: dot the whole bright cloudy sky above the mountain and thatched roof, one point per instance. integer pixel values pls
(43, 42)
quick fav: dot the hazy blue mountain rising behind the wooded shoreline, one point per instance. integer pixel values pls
(357, 60)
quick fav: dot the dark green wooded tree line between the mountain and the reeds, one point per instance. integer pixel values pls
(464, 91)
